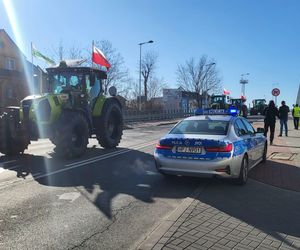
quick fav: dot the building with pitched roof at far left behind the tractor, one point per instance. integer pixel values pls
(13, 83)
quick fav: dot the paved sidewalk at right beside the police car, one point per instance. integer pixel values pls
(255, 216)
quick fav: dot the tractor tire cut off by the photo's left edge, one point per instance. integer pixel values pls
(13, 139)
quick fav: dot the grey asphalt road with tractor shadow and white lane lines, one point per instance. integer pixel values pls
(108, 199)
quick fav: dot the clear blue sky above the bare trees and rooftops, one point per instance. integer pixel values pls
(259, 37)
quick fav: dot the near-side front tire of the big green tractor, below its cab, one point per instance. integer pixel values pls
(71, 135)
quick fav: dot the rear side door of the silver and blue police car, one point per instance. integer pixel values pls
(242, 133)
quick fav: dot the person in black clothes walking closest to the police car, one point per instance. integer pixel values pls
(270, 113)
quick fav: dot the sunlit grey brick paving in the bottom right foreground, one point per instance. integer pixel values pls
(202, 226)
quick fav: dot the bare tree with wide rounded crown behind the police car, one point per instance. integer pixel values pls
(199, 76)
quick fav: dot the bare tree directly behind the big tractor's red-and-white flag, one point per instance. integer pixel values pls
(117, 75)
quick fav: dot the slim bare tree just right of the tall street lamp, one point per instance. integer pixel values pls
(148, 66)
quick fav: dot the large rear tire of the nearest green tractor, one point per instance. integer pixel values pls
(109, 129)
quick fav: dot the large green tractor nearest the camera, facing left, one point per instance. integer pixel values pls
(74, 109)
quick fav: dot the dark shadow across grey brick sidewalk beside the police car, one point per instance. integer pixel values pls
(272, 210)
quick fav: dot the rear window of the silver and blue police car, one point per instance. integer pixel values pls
(201, 127)
